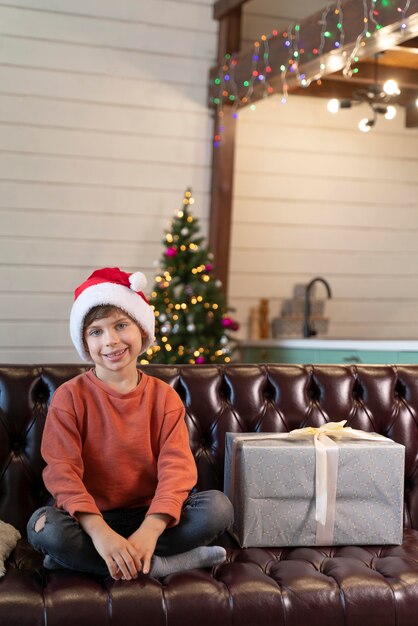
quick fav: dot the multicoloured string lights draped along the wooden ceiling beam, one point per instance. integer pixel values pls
(332, 39)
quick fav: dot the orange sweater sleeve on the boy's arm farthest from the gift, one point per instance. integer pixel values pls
(63, 475)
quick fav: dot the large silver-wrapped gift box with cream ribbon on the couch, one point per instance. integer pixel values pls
(315, 486)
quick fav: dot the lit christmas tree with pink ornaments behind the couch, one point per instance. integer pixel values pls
(192, 321)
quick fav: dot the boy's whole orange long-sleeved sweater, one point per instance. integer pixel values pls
(106, 450)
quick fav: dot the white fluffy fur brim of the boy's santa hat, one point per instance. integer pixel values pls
(119, 296)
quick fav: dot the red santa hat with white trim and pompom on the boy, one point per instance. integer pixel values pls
(112, 286)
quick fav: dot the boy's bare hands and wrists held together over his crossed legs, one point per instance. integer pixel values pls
(125, 557)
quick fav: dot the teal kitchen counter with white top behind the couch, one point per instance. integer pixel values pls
(327, 351)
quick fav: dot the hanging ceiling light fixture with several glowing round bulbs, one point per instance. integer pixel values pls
(378, 98)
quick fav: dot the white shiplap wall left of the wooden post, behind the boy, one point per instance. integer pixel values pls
(103, 125)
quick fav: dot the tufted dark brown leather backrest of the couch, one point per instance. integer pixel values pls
(219, 399)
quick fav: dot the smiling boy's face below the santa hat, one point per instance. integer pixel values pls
(114, 342)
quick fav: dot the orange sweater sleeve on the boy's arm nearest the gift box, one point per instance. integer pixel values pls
(176, 467)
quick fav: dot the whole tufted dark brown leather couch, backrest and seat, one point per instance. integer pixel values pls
(341, 586)
